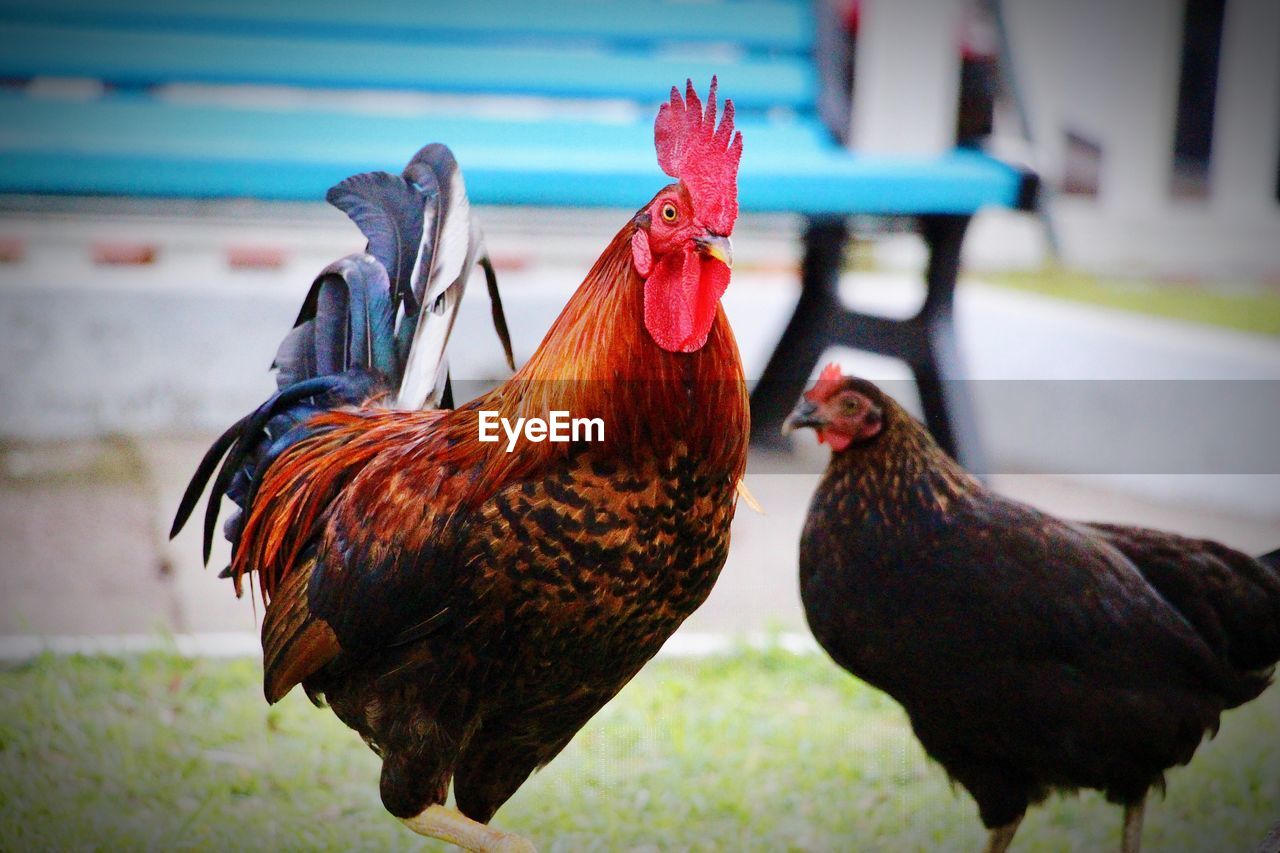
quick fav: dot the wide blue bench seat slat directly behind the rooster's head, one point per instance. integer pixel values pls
(143, 148)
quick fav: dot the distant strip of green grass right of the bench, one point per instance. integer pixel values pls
(1237, 307)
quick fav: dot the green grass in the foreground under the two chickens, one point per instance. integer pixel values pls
(757, 751)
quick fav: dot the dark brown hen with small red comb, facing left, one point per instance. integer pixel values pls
(1031, 654)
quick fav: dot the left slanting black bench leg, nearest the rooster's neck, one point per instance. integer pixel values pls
(807, 336)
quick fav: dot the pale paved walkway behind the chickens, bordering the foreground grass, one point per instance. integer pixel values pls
(85, 528)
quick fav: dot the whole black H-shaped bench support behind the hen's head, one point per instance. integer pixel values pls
(926, 341)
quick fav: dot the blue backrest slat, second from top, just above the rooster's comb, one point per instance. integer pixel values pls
(148, 58)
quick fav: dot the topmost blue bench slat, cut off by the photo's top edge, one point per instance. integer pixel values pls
(760, 25)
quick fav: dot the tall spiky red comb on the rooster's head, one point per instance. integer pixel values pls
(705, 158)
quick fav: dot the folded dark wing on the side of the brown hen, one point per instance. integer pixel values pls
(1049, 590)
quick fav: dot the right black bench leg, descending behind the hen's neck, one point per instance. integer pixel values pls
(939, 376)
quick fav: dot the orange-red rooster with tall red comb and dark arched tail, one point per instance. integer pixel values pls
(467, 609)
